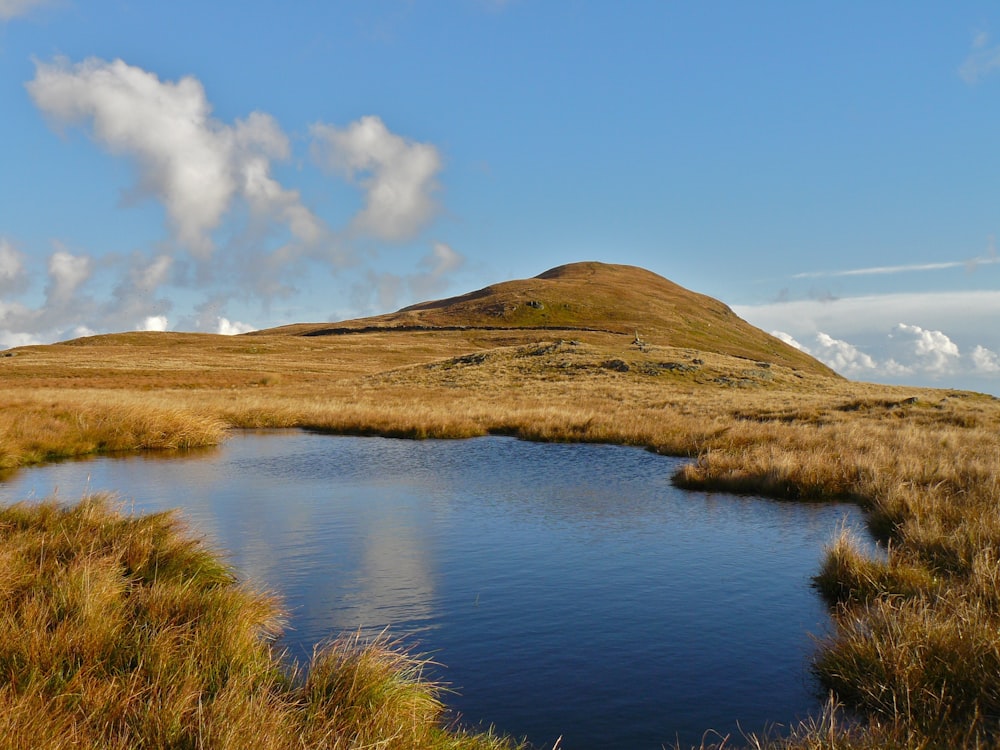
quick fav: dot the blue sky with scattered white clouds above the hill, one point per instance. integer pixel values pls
(829, 170)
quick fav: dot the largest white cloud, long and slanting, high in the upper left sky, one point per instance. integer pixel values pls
(190, 161)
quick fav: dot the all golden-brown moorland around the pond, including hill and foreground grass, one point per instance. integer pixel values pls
(587, 352)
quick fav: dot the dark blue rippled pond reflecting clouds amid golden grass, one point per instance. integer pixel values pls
(568, 589)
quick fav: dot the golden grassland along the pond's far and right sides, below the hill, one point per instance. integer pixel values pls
(916, 656)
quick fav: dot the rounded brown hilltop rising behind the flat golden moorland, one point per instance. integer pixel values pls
(589, 296)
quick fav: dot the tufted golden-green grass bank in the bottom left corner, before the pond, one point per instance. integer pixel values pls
(123, 632)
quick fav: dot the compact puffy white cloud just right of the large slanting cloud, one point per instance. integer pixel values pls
(398, 175)
